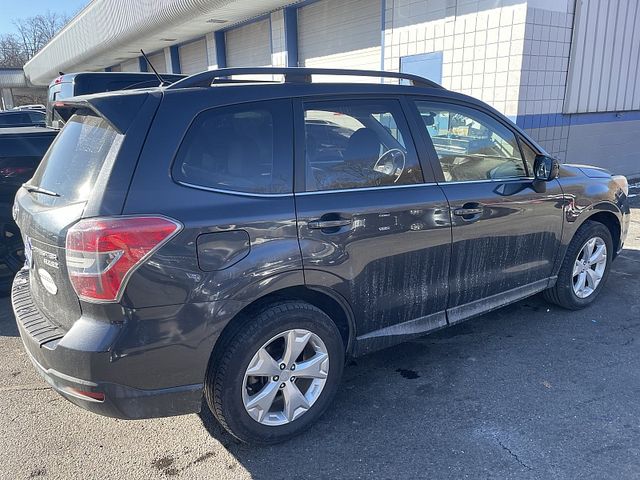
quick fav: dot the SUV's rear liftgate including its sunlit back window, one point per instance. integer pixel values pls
(53, 200)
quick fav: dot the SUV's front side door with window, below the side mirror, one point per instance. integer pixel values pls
(505, 233)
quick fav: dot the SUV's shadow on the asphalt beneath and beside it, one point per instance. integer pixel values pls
(495, 394)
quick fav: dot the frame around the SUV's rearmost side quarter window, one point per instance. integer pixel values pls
(280, 109)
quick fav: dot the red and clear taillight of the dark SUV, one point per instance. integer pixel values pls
(102, 253)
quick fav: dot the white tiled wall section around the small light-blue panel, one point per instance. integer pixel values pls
(482, 48)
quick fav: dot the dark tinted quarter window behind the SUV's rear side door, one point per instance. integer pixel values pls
(243, 148)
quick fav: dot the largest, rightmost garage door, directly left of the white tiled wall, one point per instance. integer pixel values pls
(340, 34)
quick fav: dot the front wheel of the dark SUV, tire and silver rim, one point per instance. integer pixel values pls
(585, 267)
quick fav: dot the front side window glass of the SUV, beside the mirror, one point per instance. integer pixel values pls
(470, 144)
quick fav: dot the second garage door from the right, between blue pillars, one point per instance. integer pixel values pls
(249, 45)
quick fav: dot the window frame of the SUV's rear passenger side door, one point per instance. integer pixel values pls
(428, 177)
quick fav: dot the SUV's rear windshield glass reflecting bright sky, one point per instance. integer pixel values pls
(72, 164)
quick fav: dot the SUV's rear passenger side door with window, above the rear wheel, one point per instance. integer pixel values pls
(370, 227)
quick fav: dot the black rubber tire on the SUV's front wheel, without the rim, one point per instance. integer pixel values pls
(563, 293)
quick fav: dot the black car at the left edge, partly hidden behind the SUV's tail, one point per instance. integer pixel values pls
(21, 150)
